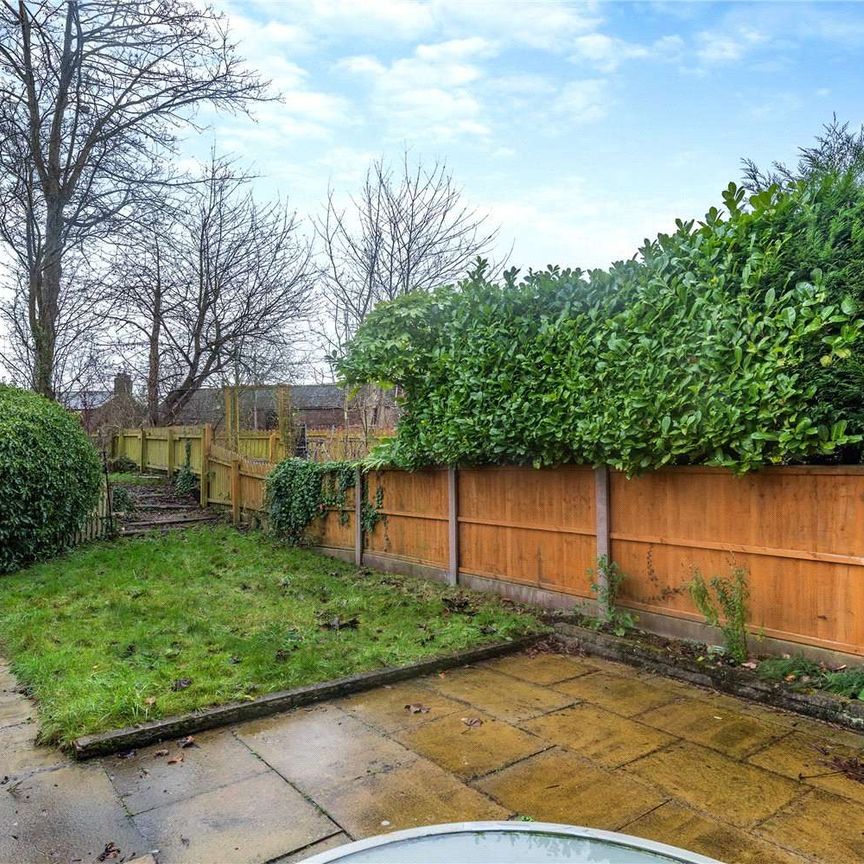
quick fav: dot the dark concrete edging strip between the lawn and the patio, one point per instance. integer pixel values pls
(117, 740)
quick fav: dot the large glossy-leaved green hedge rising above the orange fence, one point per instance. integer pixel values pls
(734, 342)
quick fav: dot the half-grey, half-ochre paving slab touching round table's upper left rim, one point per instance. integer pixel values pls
(406, 797)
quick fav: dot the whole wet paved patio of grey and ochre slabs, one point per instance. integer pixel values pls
(551, 737)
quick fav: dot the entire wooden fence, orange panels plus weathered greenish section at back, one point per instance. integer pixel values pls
(536, 535)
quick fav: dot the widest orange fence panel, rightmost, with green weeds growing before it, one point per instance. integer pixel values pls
(799, 533)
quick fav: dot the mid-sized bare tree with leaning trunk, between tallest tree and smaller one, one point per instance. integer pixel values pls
(215, 291)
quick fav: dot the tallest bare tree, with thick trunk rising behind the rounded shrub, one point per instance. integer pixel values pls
(92, 93)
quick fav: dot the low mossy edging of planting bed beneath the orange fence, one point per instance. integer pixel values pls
(727, 679)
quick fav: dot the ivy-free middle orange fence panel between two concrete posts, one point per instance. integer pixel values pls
(526, 526)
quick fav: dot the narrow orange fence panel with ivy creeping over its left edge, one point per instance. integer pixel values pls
(414, 510)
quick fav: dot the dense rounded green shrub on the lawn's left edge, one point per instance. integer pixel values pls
(49, 477)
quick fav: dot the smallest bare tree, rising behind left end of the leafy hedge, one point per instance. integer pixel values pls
(406, 231)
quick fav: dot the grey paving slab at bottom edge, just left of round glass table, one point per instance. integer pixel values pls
(252, 821)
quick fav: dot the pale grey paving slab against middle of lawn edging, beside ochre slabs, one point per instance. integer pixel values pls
(320, 747)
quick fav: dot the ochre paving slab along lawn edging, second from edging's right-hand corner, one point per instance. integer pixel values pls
(502, 696)
